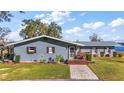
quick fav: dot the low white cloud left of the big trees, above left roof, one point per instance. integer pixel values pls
(14, 36)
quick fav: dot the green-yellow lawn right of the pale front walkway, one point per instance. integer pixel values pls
(108, 68)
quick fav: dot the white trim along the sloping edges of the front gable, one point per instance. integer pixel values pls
(42, 37)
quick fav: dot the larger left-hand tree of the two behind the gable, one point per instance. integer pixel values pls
(32, 28)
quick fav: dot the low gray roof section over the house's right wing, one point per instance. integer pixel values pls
(101, 43)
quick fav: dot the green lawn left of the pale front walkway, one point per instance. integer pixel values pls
(33, 71)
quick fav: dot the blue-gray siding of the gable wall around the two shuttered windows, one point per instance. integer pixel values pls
(60, 49)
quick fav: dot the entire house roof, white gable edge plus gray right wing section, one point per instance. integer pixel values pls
(79, 43)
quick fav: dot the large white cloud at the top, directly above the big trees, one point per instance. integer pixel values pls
(59, 17)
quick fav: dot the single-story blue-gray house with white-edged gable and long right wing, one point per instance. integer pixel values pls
(48, 47)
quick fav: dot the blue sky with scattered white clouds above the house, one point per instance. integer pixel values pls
(76, 25)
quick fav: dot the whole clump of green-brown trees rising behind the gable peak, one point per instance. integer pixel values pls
(33, 28)
